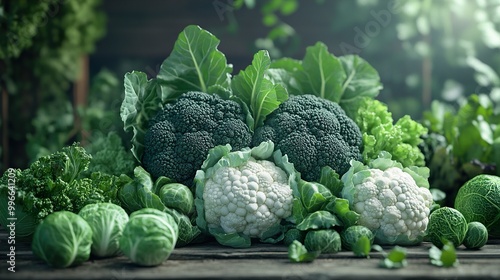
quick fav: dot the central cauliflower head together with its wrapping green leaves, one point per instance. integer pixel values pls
(244, 194)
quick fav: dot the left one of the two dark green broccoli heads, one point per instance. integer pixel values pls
(179, 136)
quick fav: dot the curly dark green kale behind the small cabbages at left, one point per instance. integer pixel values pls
(54, 183)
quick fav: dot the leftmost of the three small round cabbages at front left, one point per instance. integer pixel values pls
(62, 239)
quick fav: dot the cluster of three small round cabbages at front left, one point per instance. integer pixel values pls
(65, 239)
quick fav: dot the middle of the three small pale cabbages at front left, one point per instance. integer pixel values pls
(107, 221)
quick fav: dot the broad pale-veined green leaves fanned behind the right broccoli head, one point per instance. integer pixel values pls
(344, 80)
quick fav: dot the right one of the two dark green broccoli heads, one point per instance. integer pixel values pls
(314, 133)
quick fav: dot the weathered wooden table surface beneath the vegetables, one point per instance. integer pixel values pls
(262, 261)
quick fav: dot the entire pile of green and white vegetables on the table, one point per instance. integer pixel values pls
(296, 152)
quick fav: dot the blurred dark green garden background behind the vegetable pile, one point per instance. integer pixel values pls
(62, 62)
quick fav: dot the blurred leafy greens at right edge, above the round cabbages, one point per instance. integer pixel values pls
(462, 142)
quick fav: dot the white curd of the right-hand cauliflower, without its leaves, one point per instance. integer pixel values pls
(390, 203)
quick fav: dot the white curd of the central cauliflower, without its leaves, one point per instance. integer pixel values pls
(247, 199)
